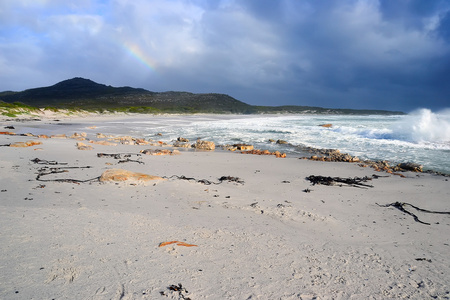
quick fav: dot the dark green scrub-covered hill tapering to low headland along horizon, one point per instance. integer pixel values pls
(80, 93)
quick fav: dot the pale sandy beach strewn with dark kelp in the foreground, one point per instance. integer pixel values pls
(272, 236)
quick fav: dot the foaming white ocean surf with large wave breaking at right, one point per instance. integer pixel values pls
(421, 137)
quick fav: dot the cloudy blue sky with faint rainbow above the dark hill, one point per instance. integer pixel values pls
(361, 54)
